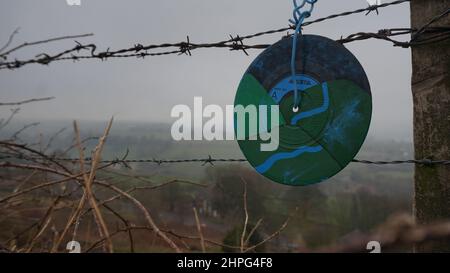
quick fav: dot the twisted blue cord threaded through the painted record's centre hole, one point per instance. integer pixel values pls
(298, 17)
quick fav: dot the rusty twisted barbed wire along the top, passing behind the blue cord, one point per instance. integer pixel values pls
(235, 43)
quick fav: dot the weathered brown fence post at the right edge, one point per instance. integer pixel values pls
(431, 95)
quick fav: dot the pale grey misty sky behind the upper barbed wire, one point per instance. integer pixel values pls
(146, 90)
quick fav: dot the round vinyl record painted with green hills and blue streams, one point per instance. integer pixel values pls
(333, 119)
